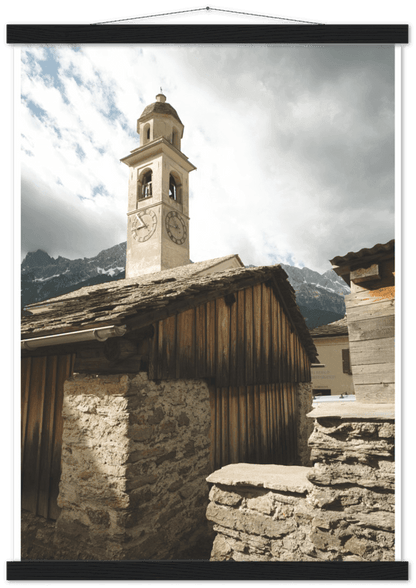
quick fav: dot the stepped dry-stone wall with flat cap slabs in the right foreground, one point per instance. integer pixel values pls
(341, 509)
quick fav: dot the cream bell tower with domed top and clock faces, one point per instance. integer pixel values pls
(158, 199)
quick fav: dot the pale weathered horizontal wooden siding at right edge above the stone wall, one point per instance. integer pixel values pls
(371, 334)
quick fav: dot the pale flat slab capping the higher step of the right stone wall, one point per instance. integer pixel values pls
(353, 410)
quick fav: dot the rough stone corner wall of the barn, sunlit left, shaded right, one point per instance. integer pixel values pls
(135, 455)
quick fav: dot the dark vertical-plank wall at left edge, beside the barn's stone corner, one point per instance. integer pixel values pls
(41, 434)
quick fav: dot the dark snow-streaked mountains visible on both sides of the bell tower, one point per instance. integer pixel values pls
(320, 297)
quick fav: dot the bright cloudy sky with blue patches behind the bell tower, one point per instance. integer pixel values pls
(294, 146)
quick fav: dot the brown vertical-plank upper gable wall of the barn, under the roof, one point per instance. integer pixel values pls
(241, 339)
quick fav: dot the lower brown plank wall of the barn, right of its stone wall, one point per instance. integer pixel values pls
(254, 424)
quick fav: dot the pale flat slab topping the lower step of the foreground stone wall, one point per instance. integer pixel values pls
(274, 477)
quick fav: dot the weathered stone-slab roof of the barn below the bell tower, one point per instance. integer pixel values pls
(138, 302)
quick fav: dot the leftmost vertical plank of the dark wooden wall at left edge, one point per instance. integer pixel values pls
(31, 458)
